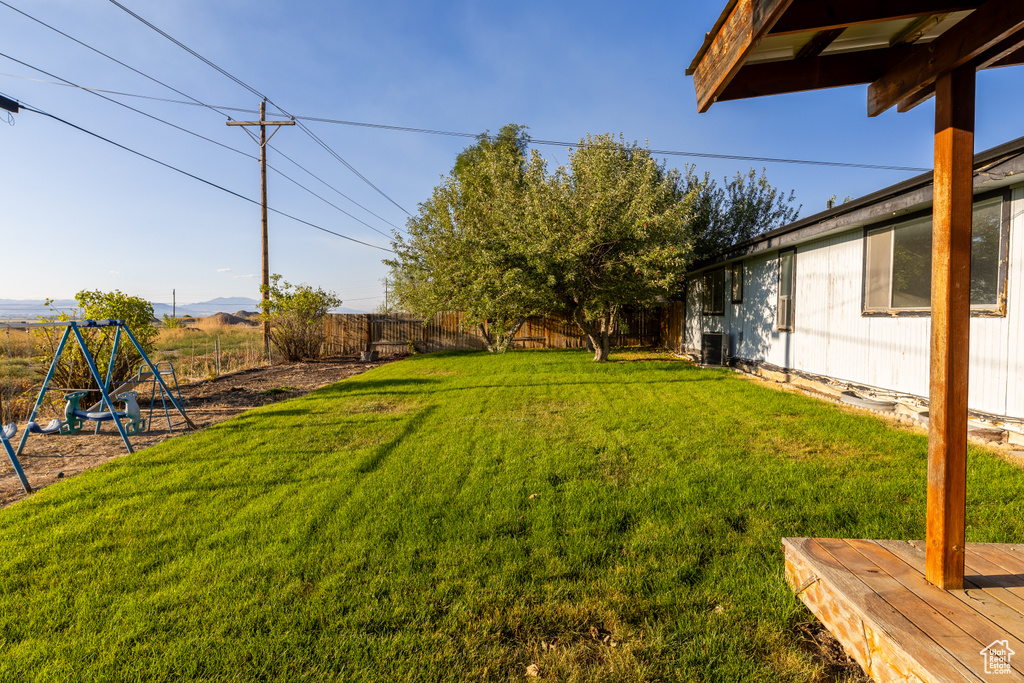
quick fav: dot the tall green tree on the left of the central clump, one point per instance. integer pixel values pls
(467, 248)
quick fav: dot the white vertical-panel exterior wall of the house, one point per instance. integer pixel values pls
(832, 338)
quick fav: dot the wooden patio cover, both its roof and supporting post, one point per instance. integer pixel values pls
(907, 51)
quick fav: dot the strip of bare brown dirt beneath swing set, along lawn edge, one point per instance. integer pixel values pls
(50, 459)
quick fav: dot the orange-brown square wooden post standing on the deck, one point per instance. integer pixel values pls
(951, 327)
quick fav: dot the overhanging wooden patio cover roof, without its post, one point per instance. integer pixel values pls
(900, 48)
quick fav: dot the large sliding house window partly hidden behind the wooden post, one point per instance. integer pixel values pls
(899, 263)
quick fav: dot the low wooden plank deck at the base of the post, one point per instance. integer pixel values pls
(873, 596)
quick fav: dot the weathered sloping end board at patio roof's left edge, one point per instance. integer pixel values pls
(743, 30)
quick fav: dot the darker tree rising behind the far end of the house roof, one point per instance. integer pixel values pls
(747, 206)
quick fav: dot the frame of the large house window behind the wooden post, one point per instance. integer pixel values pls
(983, 311)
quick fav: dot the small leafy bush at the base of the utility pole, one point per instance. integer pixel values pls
(296, 316)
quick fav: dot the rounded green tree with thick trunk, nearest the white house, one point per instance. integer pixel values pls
(613, 231)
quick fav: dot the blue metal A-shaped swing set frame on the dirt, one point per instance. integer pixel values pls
(72, 329)
